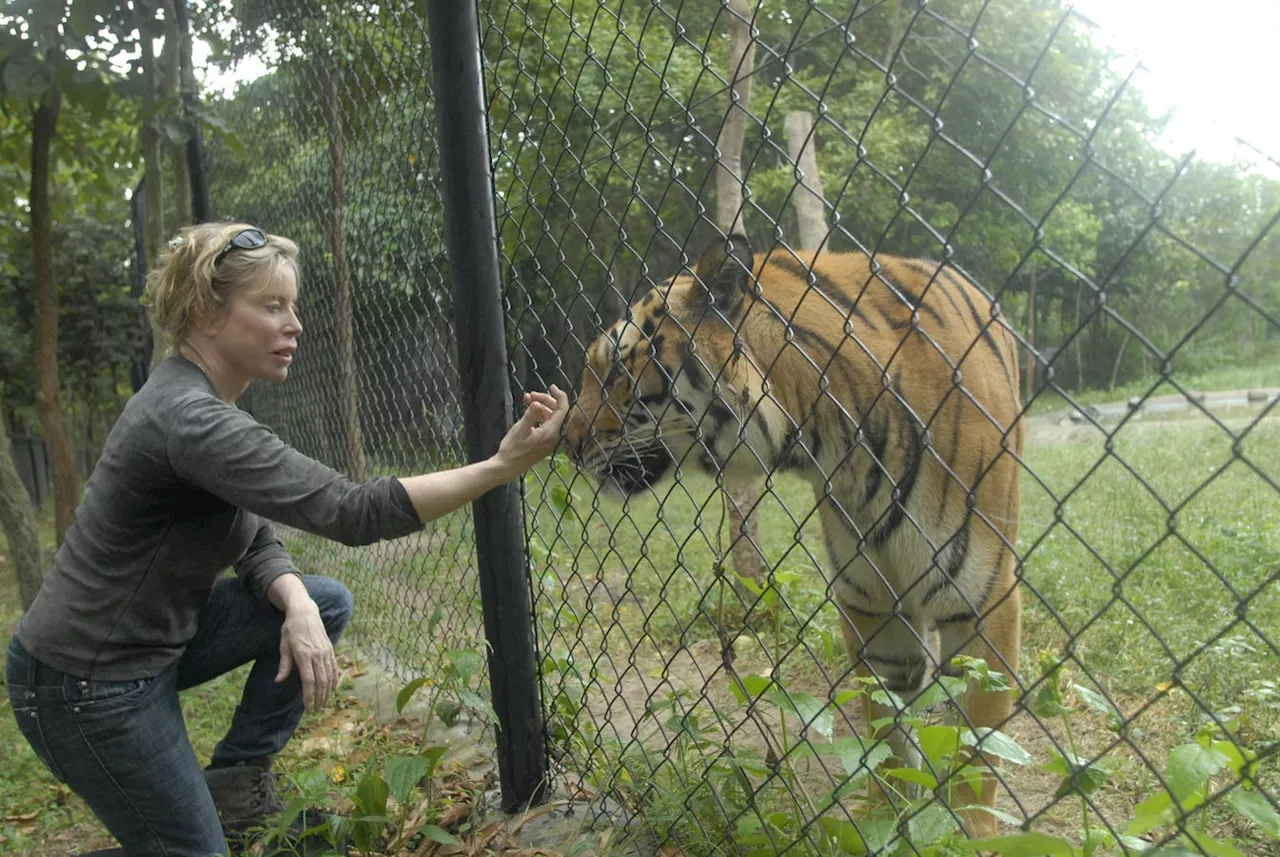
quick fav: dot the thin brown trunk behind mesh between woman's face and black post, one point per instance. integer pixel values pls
(349, 395)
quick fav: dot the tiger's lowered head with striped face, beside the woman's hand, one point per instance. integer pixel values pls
(657, 387)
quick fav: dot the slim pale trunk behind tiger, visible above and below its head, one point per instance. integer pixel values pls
(744, 529)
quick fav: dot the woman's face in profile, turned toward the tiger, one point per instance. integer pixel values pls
(259, 331)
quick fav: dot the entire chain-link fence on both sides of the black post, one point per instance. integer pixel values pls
(989, 442)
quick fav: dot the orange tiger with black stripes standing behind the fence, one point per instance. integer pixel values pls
(892, 386)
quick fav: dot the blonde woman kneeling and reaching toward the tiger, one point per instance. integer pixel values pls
(188, 487)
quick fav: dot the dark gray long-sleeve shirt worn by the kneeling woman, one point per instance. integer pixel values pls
(188, 487)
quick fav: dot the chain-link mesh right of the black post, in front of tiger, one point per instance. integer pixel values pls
(711, 712)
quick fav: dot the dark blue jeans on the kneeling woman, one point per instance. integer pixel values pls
(124, 748)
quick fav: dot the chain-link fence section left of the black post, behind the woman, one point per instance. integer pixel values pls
(335, 149)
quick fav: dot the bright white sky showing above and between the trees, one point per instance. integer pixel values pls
(1214, 62)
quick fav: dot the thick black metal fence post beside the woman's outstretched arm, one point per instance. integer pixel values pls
(487, 406)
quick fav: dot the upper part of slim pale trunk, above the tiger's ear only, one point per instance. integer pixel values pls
(729, 166)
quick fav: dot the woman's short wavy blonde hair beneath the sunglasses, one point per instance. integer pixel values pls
(185, 285)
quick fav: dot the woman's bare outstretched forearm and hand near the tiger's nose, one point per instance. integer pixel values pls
(531, 441)
